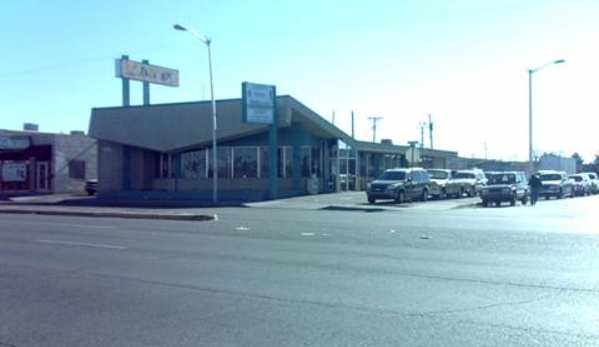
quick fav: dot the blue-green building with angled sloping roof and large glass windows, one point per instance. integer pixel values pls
(163, 151)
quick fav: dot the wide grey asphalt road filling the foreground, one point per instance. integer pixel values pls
(410, 276)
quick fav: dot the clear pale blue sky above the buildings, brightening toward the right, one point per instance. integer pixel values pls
(465, 62)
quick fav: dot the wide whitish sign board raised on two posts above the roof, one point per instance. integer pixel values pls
(134, 70)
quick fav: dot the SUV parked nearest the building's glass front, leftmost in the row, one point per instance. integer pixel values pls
(399, 185)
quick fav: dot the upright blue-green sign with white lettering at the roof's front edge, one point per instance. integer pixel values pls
(258, 103)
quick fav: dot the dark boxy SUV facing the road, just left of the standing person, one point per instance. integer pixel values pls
(510, 186)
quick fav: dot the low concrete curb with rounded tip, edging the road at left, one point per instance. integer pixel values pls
(184, 217)
